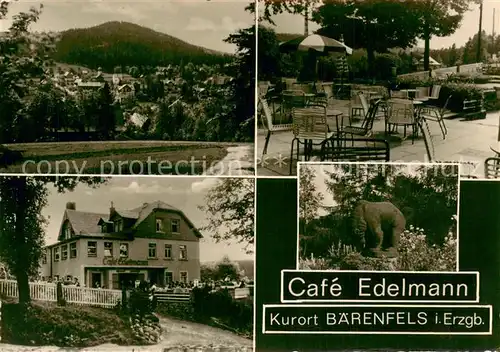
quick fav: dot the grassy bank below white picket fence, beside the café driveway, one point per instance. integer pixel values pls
(72, 325)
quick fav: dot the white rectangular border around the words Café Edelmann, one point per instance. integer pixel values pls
(282, 299)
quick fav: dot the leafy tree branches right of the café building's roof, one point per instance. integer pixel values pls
(230, 207)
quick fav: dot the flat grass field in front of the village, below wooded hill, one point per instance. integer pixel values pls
(118, 157)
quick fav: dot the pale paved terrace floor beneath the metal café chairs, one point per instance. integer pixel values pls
(466, 141)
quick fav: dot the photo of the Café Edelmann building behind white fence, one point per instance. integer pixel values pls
(123, 262)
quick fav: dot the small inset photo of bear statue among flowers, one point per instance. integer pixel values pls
(378, 216)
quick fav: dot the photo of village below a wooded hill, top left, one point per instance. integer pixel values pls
(117, 87)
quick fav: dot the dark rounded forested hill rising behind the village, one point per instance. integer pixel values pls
(114, 44)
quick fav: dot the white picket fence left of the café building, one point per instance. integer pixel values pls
(72, 294)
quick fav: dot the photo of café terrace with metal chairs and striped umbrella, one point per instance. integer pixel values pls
(334, 84)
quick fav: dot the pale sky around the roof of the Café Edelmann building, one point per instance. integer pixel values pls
(185, 193)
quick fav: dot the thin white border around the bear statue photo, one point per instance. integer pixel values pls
(300, 163)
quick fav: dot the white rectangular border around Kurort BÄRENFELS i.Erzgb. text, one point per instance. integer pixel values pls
(264, 331)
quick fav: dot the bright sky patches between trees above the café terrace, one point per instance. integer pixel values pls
(287, 23)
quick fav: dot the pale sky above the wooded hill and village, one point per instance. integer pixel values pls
(198, 22)
